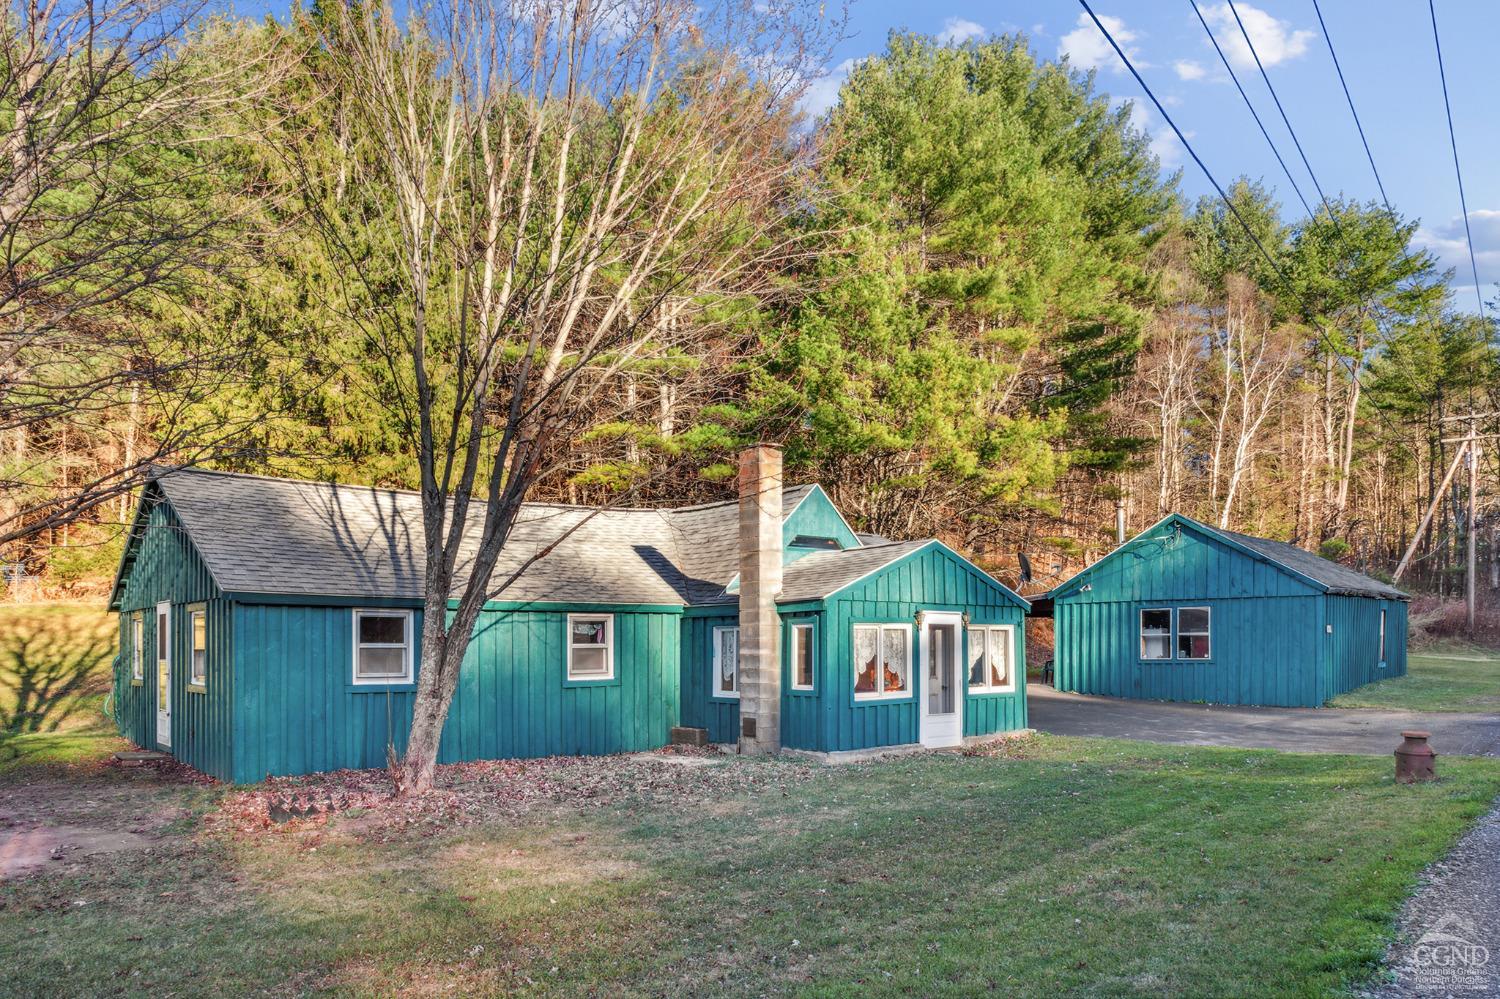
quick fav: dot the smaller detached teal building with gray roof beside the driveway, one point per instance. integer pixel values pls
(1190, 613)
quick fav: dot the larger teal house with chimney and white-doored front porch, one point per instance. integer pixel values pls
(272, 626)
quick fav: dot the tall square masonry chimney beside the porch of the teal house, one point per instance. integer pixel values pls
(760, 584)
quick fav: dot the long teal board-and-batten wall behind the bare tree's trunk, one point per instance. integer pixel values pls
(301, 710)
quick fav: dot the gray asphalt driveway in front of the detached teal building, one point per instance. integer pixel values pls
(1351, 731)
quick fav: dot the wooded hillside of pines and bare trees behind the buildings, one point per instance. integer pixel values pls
(968, 301)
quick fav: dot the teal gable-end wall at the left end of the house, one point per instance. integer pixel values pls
(167, 568)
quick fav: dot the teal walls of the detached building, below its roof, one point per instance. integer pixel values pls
(1270, 641)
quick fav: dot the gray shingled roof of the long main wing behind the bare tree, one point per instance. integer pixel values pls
(281, 536)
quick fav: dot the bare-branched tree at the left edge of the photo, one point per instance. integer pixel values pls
(110, 220)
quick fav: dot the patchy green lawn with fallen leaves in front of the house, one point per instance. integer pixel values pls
(1052, 866)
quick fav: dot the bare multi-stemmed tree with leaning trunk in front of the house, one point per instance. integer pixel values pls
(562, 190)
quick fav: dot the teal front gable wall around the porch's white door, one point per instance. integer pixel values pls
(931, 580)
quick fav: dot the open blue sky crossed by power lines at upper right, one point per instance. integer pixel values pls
(1388, 58)
